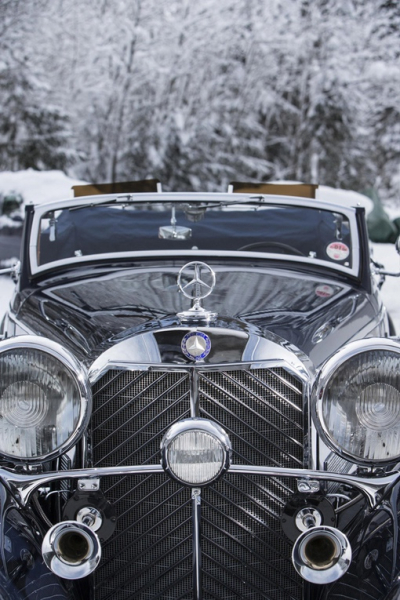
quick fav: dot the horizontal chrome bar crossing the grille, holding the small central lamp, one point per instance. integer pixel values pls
(23, 485)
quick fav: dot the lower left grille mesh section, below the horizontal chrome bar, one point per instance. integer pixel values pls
(150, 554)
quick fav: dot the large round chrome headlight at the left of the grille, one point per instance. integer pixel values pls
(45, 399)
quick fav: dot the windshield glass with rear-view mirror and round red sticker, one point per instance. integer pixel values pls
(115, 228)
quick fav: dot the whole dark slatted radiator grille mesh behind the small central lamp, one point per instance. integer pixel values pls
(244, 552)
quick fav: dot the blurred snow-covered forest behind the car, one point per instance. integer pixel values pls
(202, 92)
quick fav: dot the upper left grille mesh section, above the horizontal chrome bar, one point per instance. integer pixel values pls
(133, 410)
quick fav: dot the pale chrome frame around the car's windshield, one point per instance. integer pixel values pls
(158, 198)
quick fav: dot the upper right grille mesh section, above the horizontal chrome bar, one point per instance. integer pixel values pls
(262, 415)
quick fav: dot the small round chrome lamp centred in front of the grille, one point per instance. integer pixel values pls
(196, 451)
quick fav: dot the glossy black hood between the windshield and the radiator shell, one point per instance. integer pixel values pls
(89, 315)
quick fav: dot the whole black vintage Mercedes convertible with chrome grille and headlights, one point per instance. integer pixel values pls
(199, 400)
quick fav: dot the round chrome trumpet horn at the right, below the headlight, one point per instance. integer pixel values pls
(321, 554)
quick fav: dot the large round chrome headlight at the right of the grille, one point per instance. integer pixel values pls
(358, 401)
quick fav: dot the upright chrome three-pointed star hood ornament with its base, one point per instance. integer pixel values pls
(200, 283)
